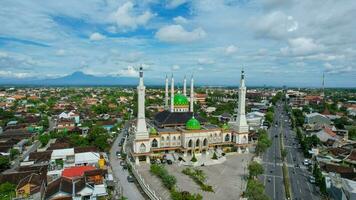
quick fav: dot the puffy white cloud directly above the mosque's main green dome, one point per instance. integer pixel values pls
(177, 34)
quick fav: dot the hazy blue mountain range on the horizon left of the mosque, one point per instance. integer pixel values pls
(76, 78)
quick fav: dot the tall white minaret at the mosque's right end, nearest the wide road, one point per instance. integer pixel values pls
(241, 123)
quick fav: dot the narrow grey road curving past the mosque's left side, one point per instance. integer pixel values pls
(130, 190)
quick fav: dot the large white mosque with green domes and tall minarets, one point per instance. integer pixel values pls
(178, 129)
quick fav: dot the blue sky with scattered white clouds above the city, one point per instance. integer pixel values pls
(276, 42)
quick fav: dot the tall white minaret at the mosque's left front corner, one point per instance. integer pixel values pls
(141, 132)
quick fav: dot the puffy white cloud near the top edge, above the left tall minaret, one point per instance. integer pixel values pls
(125, 16)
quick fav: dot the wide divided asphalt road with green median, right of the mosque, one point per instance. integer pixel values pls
(299, 175)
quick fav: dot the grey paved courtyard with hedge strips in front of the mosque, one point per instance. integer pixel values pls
(227, 179)
